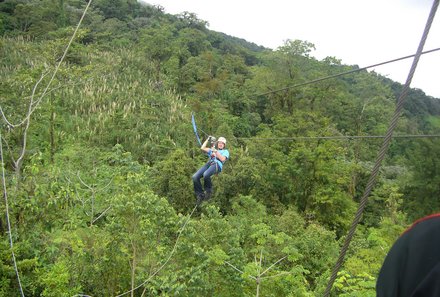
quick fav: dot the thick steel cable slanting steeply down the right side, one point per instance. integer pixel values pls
(382, 151)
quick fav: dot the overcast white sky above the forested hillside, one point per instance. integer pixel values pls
(361, 32)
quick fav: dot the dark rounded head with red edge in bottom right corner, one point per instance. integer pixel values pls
(412, 266)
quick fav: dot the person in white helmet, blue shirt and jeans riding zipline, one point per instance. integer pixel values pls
(217, 157)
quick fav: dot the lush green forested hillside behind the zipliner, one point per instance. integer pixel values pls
(98, 152)
